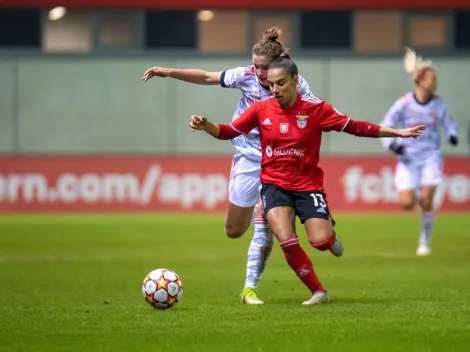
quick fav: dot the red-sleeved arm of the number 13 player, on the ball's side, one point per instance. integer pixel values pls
(243, 125)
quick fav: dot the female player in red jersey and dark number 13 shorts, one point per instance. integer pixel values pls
(292, 182)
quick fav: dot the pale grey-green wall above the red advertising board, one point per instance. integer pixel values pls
(100, 106)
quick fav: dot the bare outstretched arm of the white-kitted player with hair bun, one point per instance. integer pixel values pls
(187, 75)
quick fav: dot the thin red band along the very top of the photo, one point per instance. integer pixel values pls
(246, 4)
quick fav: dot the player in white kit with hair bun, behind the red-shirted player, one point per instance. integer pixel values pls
(245, 185)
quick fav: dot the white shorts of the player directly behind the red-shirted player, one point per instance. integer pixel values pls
(245, 185)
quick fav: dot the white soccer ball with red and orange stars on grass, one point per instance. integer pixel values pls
(162, 288)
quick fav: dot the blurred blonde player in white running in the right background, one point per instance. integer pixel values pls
(420, 160)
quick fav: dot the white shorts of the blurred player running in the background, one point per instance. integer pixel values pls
(413, 175)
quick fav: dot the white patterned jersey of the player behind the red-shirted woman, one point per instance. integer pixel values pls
(244, 78)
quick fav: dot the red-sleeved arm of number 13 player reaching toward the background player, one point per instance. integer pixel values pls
(332, 120)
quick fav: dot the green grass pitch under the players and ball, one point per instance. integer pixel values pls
(73, 283)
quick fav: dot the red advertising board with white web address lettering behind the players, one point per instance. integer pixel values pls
(108, 184)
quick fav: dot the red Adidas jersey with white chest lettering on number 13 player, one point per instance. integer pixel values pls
(290, 139)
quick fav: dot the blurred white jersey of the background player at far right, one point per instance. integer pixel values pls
(406, 112)
